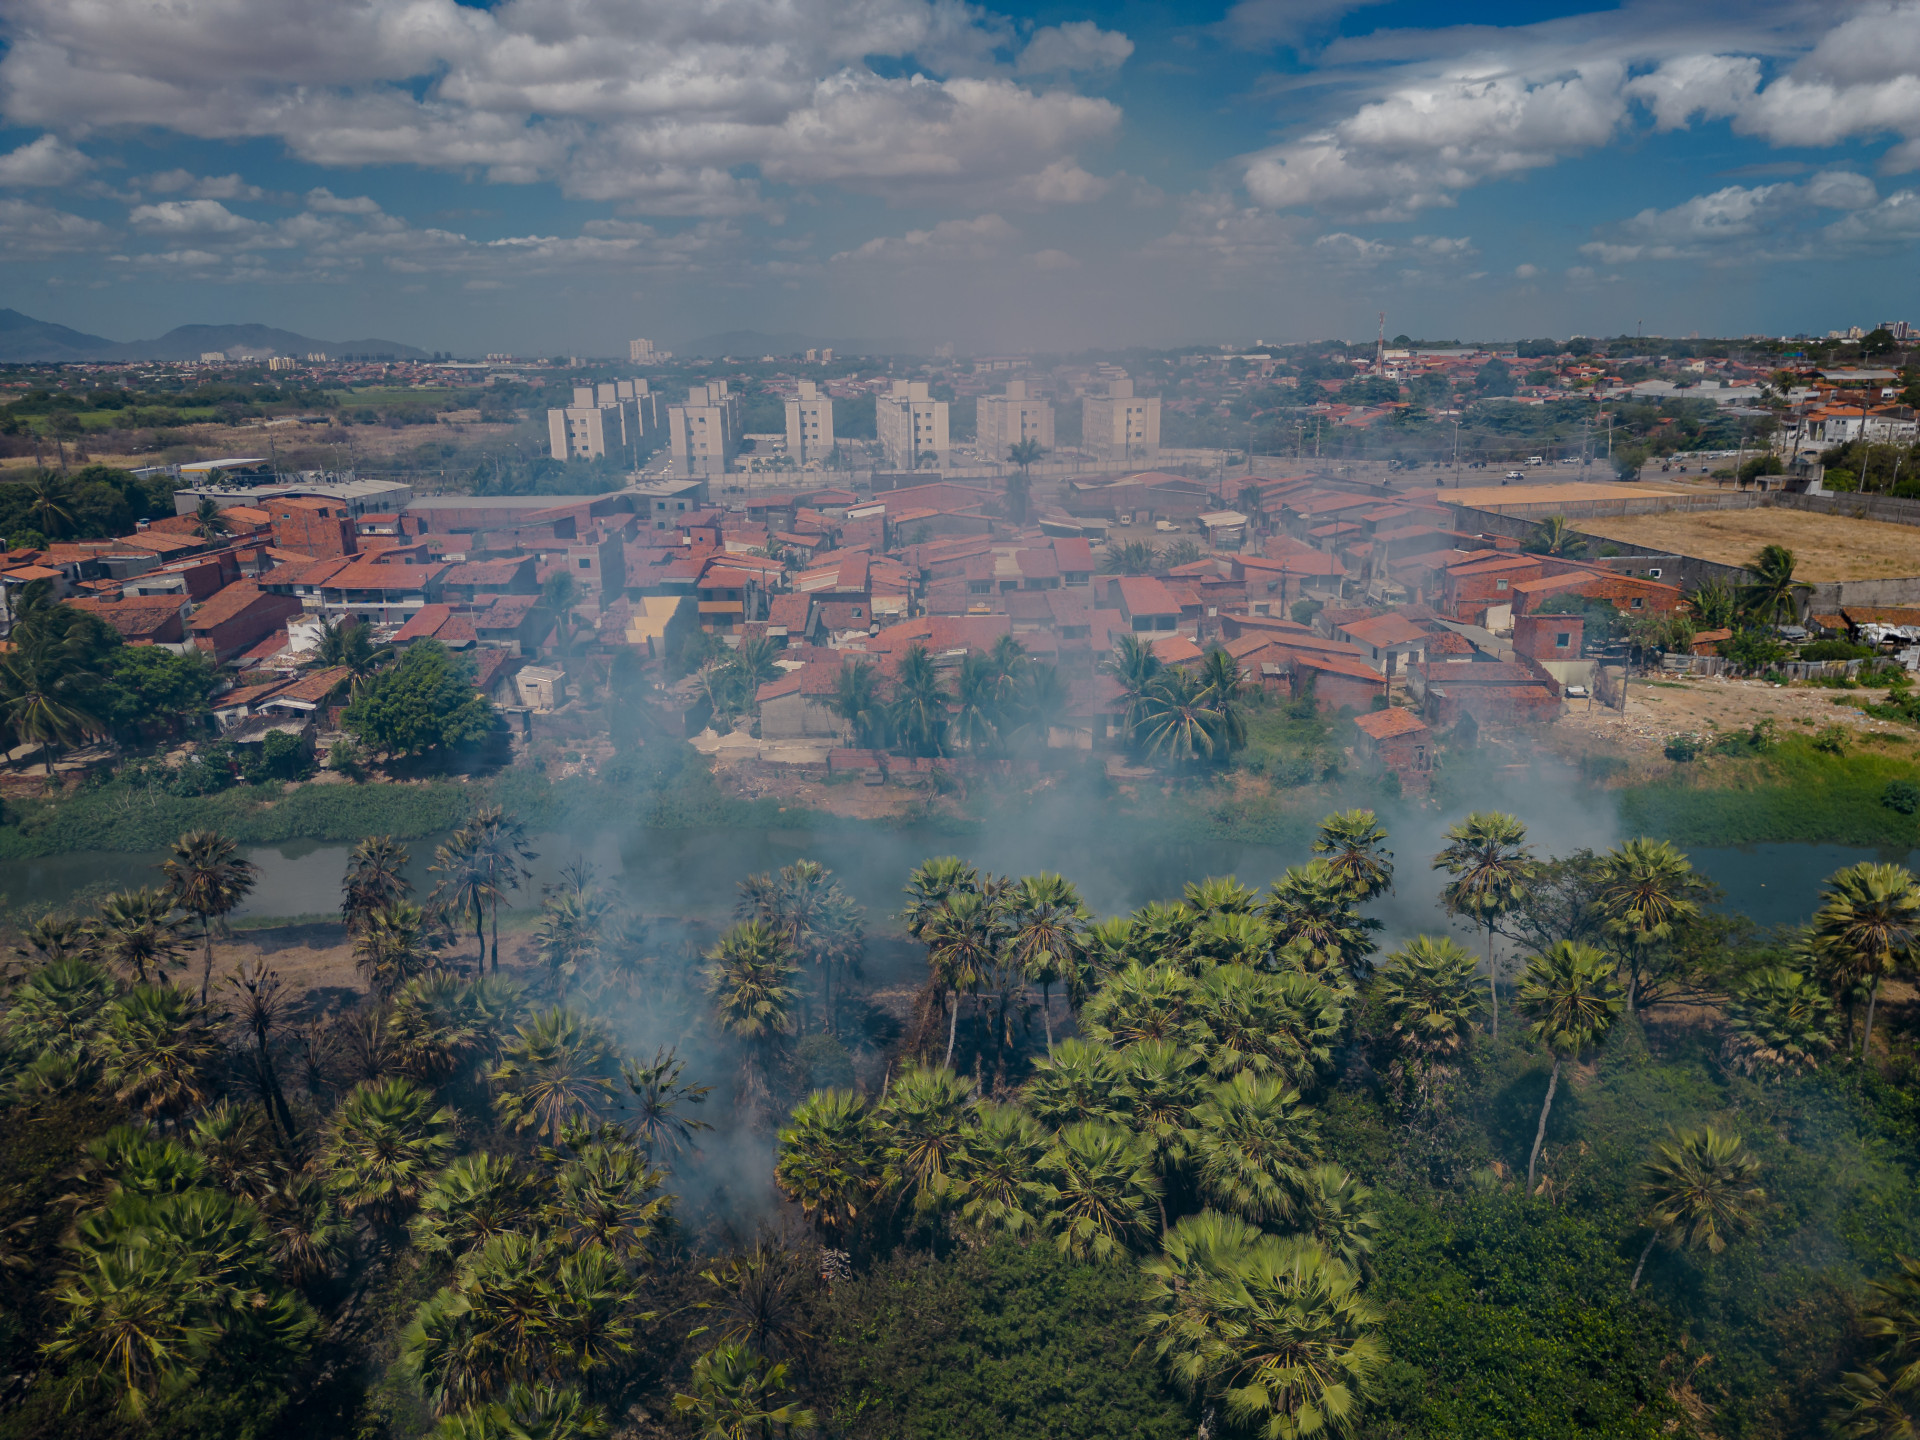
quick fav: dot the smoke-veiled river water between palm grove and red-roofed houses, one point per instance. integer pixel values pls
(694, 875)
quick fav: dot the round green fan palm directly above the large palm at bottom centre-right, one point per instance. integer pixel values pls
(1253, 1145)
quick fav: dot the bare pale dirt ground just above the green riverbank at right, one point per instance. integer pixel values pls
(1662, 709)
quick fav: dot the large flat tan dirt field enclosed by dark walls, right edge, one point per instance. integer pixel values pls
(1825, 546)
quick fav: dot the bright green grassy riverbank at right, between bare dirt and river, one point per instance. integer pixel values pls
(1792, 794)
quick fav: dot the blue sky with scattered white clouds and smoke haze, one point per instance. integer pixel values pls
(558, 176)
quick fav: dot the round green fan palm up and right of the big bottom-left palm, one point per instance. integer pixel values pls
(385, 1145)
